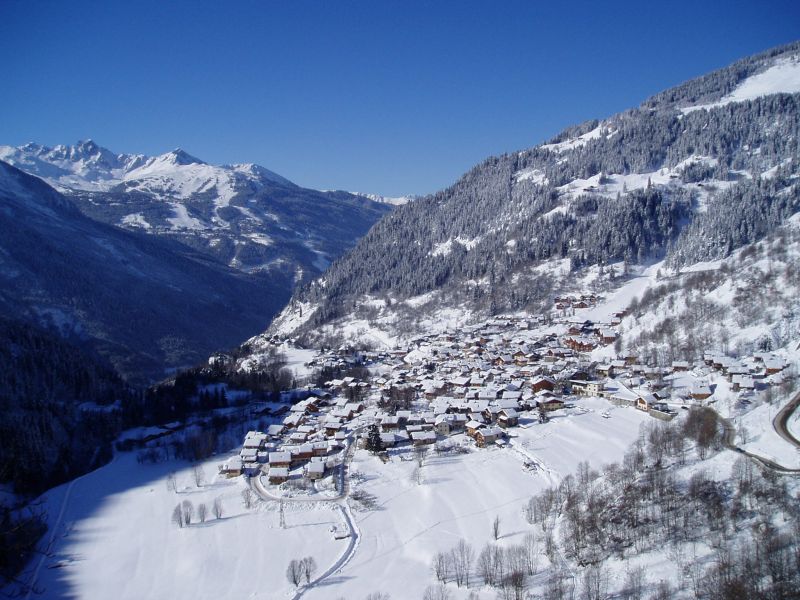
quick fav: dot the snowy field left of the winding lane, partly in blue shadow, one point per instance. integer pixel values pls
(114, 538)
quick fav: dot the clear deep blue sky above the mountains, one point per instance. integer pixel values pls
(375, 96)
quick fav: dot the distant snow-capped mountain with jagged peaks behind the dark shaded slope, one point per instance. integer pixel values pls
(244, 216)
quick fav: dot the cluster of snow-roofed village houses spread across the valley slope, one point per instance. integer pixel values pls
(482, 381)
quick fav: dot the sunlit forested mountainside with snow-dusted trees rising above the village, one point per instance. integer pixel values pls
(690, 175)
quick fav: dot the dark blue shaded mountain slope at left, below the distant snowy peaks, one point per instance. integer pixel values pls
(143, 302)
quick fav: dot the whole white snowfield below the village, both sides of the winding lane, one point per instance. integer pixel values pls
(113, 535)
